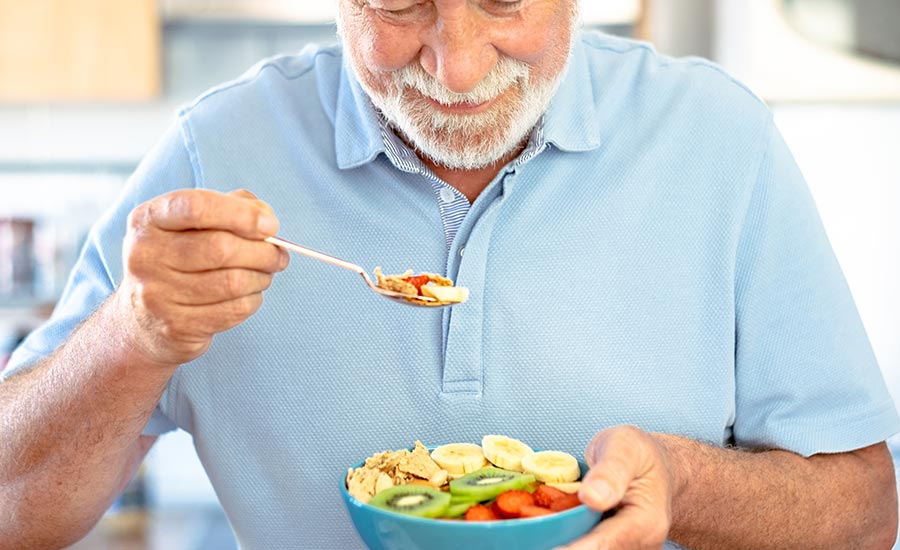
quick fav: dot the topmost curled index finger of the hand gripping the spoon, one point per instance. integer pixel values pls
(237, 212)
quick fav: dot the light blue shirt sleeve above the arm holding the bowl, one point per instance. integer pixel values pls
(806, 376)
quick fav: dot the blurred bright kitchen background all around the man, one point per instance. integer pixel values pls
(87, 86)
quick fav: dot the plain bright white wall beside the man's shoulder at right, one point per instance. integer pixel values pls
(849, 155)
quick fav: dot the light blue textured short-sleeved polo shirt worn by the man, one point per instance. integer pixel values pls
(654, 258)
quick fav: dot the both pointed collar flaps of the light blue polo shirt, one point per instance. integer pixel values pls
(570, 124)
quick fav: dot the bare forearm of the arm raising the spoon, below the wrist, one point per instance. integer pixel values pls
(71, 432)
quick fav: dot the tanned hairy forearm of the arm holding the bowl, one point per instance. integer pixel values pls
(733, 499)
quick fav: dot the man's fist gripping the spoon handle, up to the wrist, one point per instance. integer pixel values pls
(195, 264)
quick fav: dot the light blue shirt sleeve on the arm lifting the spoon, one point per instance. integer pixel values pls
(98, 270)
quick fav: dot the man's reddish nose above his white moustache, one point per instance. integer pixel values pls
(457, 50)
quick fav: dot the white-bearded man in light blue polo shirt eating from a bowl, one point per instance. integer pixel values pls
(648, 277)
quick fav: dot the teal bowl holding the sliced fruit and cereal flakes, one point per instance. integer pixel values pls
(384, 530)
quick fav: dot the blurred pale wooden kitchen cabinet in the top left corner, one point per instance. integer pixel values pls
(76, 50)
